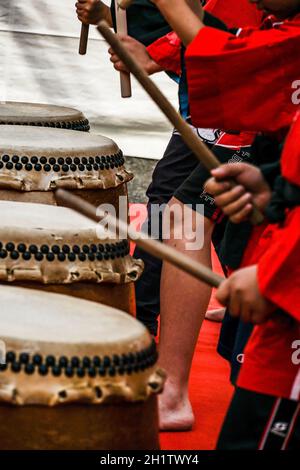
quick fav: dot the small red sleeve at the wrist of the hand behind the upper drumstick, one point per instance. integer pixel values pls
(166, 52)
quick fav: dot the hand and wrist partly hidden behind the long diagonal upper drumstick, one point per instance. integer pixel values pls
(140, 53)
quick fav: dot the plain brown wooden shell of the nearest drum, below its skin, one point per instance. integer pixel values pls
(121, 426)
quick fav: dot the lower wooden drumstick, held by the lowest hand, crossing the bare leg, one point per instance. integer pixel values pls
(155, 248)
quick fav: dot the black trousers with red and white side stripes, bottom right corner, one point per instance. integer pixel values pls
(260, 422)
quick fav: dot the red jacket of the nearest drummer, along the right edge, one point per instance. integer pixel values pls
(269, 366)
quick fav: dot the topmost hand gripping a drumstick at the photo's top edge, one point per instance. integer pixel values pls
(93, 11)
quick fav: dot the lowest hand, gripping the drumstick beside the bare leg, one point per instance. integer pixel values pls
(240, 293)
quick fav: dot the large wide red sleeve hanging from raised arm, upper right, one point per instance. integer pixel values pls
(244, 83)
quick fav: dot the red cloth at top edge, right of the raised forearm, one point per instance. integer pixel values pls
(234, 13)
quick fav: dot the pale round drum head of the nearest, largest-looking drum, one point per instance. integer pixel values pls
(68, 325)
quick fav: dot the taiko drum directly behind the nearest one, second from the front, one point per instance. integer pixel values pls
(55, 249)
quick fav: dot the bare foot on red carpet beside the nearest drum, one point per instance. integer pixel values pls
(175, 411)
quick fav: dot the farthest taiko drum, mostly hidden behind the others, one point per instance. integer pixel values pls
(44, 115)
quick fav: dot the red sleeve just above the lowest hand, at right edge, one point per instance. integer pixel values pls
(279, 267)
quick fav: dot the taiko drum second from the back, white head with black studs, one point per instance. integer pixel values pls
(34, 161)
